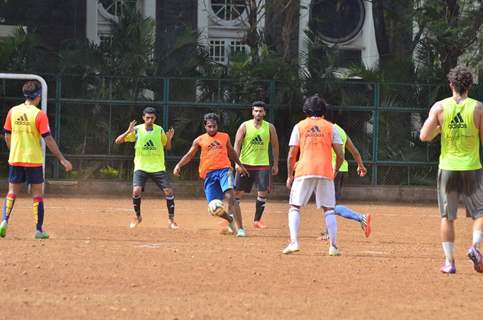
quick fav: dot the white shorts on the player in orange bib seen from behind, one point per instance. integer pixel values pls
(302, 189)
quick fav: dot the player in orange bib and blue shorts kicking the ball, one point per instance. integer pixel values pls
(215, 168)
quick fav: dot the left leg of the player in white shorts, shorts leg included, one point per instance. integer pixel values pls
(300, 194)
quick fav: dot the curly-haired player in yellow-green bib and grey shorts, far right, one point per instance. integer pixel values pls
(459, 121)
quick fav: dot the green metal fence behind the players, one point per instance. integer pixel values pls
(88, 112)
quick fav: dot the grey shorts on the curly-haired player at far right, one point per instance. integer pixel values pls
(452, 185)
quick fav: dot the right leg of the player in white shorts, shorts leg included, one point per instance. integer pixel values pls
(325, 199)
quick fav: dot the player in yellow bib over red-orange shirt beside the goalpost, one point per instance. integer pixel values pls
(23, 129)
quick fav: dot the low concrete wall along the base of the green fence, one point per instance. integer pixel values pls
(188, 189)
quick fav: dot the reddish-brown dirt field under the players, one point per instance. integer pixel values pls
(95, 267)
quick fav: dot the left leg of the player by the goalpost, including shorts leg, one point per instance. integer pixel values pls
(16, 177)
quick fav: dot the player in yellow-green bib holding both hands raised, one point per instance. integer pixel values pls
(150, 141)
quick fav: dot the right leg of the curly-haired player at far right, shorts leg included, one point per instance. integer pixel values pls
(474, 209)
